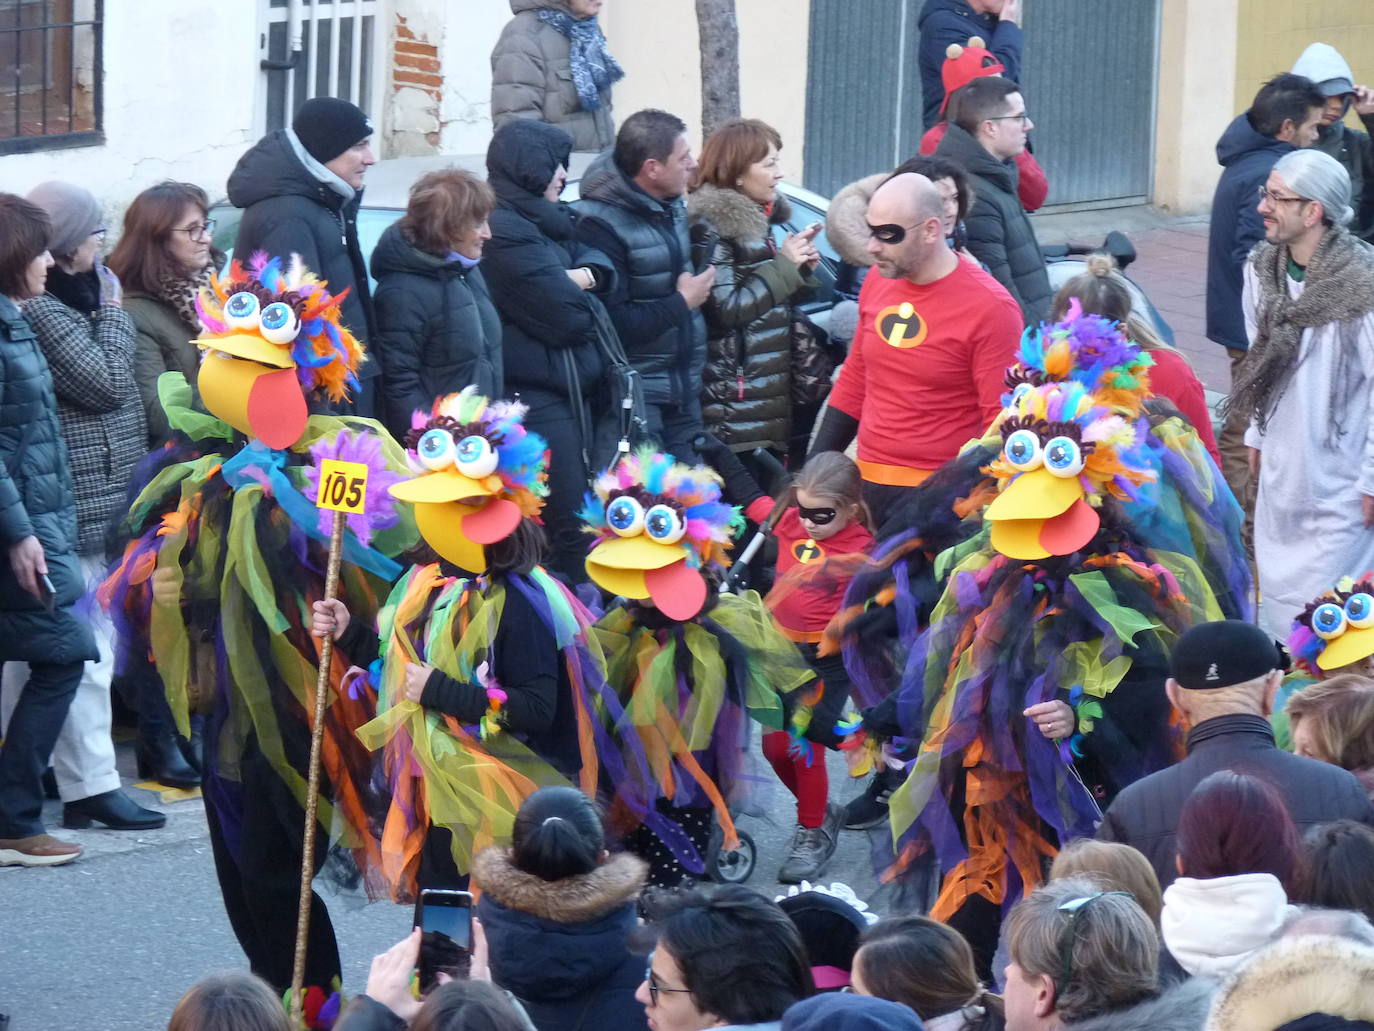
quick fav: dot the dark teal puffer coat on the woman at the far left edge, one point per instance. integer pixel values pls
(36, 500)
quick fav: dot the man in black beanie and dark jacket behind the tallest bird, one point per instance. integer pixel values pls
(300, 190)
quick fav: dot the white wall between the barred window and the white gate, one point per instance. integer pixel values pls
(181, 98)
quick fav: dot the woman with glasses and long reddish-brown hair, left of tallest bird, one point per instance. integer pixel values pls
(164, 258)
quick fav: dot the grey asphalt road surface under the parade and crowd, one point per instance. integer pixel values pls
(111, 942)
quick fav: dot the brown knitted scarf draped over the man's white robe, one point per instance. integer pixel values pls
(1339, 287)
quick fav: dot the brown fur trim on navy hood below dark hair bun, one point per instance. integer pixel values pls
(570, 901)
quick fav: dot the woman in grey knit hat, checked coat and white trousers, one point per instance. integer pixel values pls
(89, 343)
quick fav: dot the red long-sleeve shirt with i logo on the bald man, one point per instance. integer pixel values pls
(923, 386)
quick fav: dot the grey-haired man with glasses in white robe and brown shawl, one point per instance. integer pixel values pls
(1307, 387)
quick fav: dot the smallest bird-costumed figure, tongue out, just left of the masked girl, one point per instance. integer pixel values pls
(690, 667)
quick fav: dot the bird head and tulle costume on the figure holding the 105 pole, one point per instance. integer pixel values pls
(480, 474)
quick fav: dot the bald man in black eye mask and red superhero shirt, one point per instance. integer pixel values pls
(925, 369)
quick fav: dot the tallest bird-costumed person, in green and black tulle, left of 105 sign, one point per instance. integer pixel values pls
(226, 556)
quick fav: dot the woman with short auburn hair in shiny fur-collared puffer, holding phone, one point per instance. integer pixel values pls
(747, 388)
